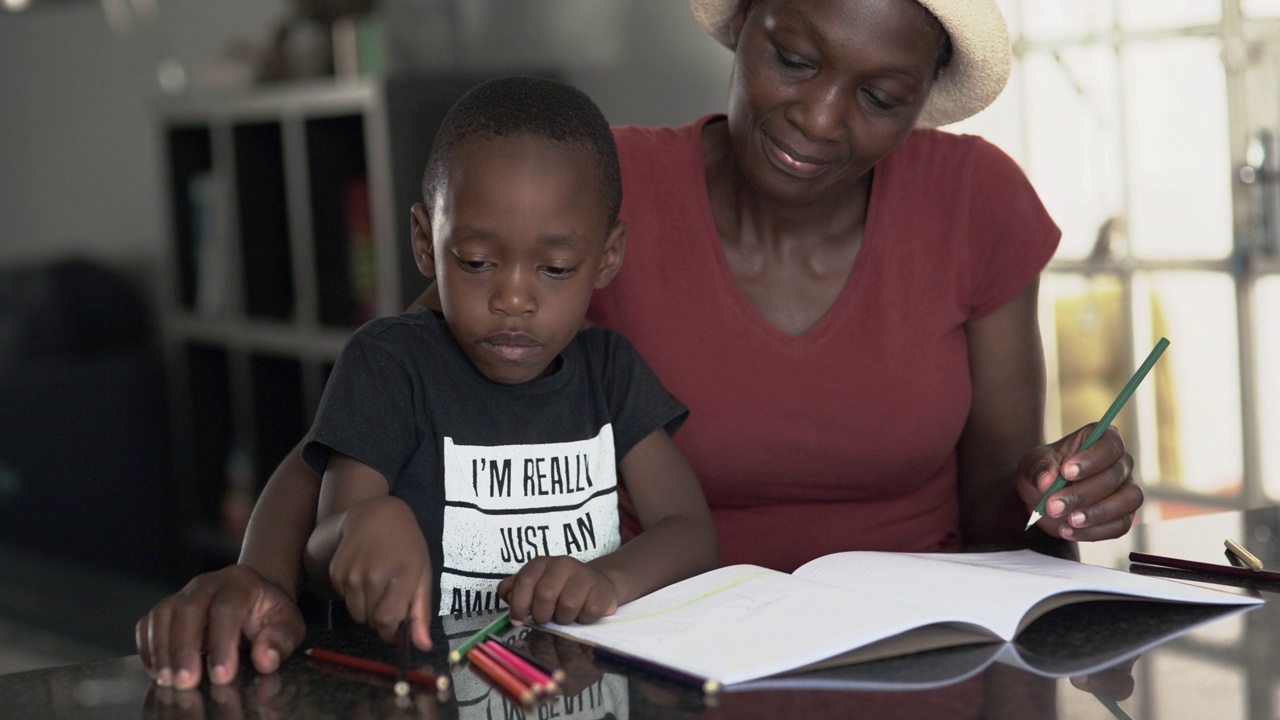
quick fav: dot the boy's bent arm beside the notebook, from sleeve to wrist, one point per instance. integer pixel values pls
(678, 539)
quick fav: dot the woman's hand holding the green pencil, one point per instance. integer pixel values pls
(1100, 500)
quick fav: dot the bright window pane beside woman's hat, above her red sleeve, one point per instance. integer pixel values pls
(1075, 142)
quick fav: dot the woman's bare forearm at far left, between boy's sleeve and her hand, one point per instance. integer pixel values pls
(282, 522)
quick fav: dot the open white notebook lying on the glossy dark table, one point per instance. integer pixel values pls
(743, 623)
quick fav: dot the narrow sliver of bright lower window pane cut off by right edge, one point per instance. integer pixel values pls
(1267, 312)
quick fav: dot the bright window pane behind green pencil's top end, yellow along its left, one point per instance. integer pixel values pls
(1192, 398)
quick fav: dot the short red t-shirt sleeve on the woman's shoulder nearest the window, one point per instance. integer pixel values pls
(1013, 236)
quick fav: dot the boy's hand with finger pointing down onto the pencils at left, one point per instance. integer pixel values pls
(383, 571)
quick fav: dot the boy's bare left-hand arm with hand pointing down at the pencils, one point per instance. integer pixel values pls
(369, 550)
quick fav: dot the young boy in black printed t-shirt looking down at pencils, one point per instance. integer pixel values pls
(473, 457)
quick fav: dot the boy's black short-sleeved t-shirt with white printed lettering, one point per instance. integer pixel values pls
(497, 475)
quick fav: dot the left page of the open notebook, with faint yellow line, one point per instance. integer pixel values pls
(742, 623)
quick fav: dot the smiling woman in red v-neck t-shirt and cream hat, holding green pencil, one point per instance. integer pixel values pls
(848, 306)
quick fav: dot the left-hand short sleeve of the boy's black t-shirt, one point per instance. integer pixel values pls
(365, 412)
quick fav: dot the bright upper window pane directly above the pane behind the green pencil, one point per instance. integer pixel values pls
(1181, 203)
